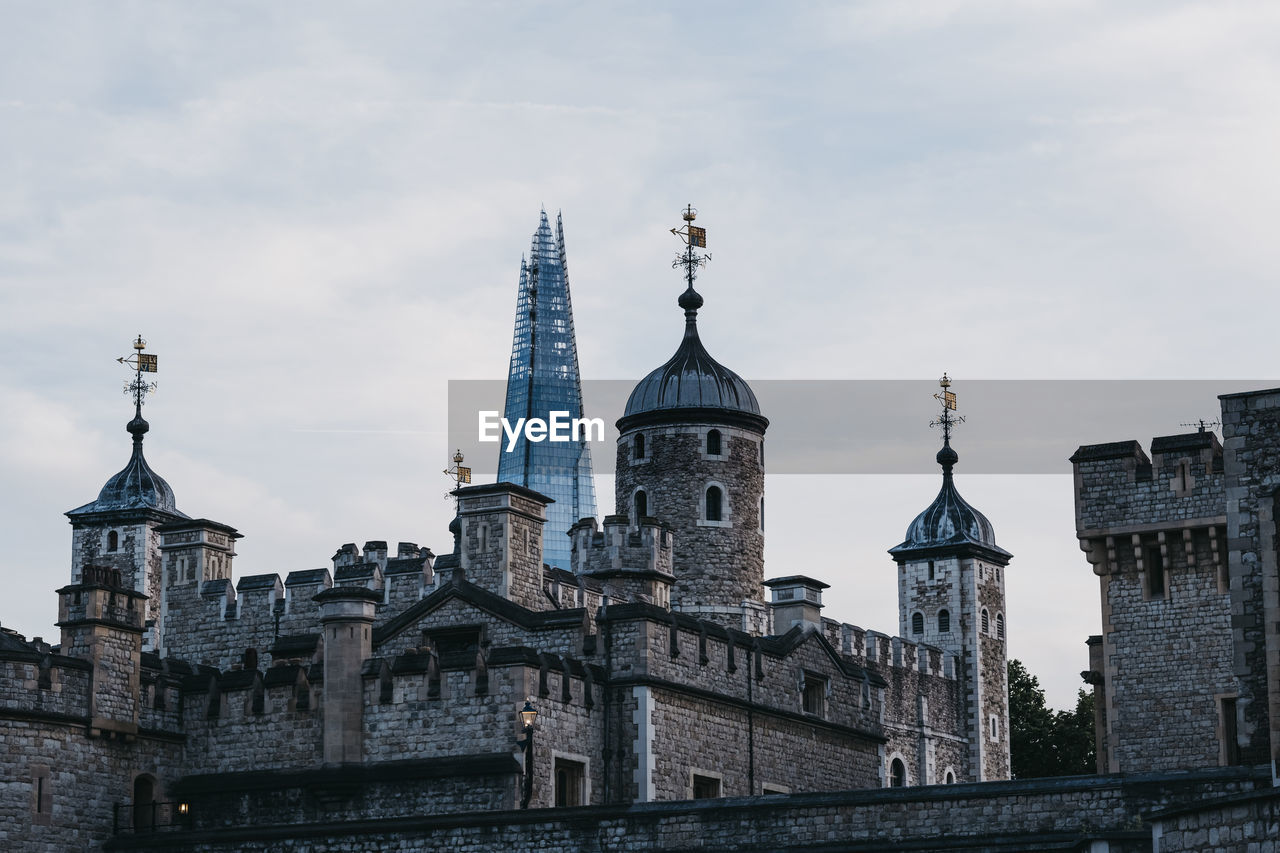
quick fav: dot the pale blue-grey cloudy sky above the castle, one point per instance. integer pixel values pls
(316, 215)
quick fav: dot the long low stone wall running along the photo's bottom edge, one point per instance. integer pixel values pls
(1037, 815)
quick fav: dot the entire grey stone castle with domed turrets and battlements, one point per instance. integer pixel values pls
(377, 705)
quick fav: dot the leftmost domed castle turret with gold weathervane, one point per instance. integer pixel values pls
(118, 532)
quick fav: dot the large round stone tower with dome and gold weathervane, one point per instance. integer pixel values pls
(692, 454)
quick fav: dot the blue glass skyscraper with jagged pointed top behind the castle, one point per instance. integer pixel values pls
(545, 378)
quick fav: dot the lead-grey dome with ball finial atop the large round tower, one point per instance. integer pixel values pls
(692, 385)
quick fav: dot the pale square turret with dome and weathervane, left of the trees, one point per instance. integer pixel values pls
(952, 595)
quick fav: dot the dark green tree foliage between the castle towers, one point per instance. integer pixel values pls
(1045, 742)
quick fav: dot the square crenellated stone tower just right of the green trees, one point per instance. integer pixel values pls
(1156, 536)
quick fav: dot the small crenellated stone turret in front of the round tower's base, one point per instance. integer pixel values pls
(632, 563)
